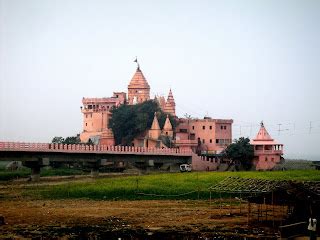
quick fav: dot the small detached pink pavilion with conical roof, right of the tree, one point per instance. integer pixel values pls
(267, 152)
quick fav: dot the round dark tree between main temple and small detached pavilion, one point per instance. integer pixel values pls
(240, 152)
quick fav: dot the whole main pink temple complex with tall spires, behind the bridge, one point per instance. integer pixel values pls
(204, 136)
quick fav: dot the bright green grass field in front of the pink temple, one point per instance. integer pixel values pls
(163, 186)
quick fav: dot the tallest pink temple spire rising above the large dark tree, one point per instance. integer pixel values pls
(138, 88)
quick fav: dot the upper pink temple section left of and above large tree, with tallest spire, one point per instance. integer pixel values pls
(96, 111)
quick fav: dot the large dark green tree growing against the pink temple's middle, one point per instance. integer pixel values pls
(130, 121)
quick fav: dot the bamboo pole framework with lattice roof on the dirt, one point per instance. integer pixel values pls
(267, 200)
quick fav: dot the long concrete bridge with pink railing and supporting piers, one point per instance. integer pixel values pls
(38, 155)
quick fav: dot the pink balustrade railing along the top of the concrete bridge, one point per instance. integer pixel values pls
(82, 148)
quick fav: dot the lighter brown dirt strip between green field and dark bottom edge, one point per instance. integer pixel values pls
(26, 218)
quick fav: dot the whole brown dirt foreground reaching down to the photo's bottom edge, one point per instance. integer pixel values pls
(152, 219)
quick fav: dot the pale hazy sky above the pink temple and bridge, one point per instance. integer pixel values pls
(245, 60)
